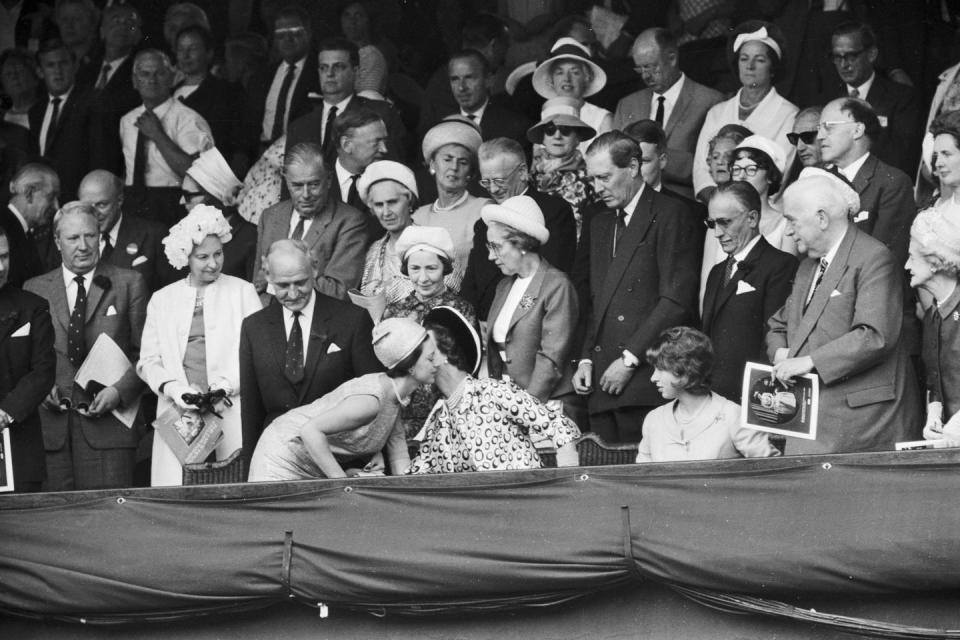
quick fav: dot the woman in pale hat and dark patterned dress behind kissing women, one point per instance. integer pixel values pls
(426, 259)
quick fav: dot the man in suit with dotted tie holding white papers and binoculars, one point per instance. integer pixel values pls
(87, 446)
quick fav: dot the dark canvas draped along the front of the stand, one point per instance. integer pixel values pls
(872, 523)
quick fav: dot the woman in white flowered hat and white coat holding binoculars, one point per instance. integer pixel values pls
(192, 333)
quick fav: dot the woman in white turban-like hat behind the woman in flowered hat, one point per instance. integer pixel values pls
(211, 181)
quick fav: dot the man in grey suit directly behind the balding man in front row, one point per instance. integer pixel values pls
(334, 231)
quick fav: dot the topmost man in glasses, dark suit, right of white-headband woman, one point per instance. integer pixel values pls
(854, 53)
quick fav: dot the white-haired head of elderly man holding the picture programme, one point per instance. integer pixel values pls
(818, 211)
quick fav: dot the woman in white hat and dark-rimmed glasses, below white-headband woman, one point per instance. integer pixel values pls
(760, 162)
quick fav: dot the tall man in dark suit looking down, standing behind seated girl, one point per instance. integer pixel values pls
(643, 279)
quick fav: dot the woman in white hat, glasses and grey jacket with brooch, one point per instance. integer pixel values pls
(534, 313)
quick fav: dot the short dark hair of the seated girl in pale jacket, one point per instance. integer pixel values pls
(687, 354)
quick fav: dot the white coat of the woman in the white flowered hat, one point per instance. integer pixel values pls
(226, 302)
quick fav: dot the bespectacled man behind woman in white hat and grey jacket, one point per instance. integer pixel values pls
(504, 174)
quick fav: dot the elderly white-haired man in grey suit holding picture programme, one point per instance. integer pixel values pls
(842, 321)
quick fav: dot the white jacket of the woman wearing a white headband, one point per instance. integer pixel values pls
(773, 118)
